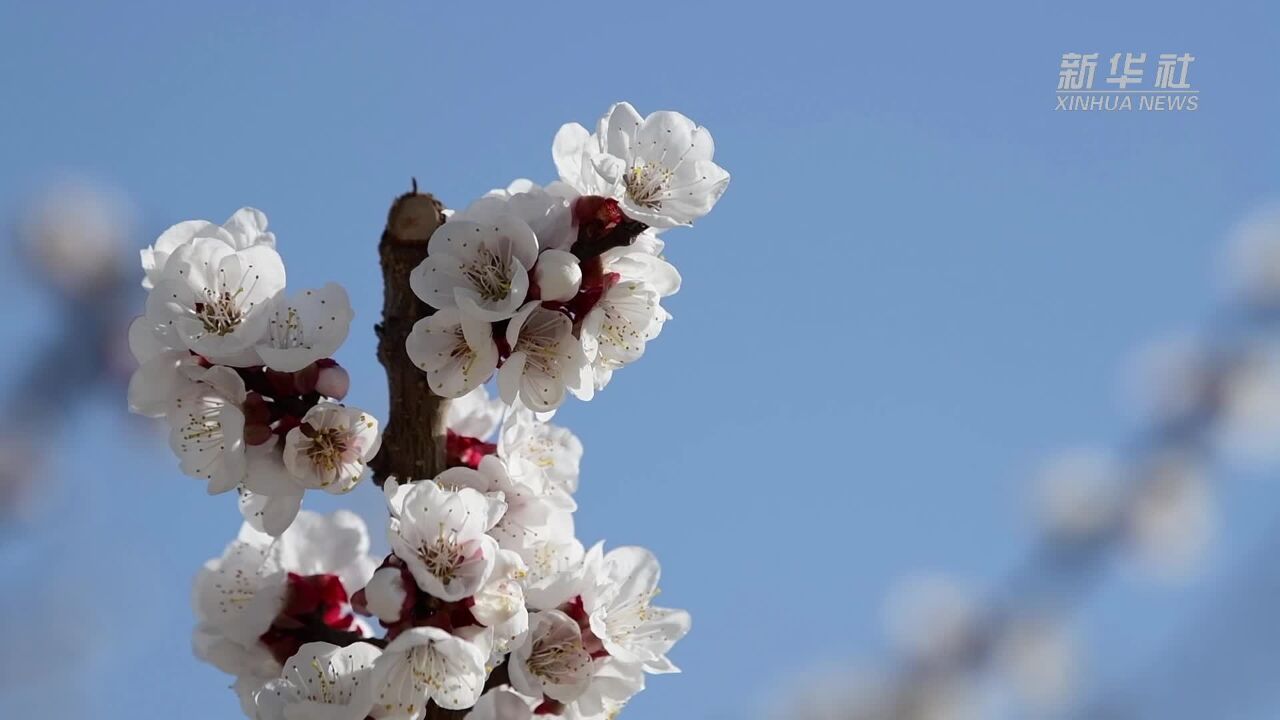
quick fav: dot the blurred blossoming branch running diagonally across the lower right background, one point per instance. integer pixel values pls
(1208, 404)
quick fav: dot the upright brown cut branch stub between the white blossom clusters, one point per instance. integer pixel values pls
(414, 440)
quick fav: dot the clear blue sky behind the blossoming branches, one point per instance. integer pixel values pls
(921, 281)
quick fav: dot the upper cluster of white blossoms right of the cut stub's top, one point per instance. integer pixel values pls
(555, 289)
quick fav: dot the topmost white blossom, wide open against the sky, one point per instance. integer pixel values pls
(660, 167)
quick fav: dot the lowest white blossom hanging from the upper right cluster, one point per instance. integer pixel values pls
(546, 359)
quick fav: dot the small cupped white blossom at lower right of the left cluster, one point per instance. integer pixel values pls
(332, 446)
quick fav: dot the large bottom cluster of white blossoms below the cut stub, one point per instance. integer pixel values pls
(487, 599)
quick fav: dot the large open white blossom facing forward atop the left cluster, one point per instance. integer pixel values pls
(216, 300)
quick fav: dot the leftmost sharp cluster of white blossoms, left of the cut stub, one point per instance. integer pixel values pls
(243, 372)
